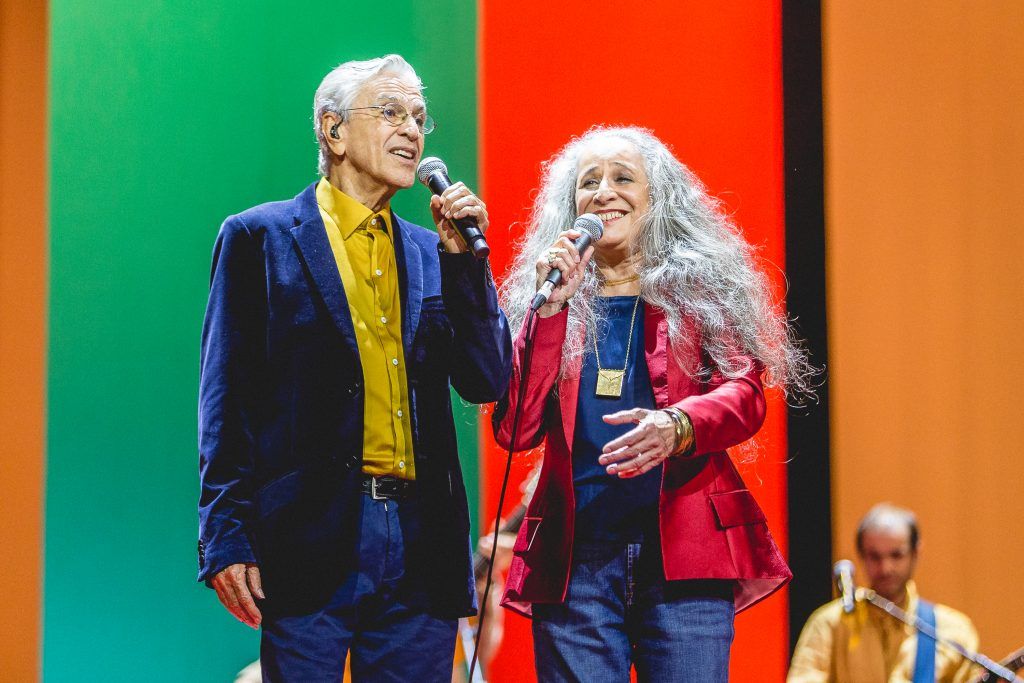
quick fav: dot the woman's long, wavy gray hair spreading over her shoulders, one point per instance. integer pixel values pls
(693, 262)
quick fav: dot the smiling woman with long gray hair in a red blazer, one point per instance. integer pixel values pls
(643, 541)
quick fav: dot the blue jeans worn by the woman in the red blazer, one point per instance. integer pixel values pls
(620, 611)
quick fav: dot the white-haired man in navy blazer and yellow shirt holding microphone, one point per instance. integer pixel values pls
(333, 511)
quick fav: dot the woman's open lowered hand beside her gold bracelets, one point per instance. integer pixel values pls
(642, 449)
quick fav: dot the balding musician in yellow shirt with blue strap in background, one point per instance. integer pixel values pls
(871, 647)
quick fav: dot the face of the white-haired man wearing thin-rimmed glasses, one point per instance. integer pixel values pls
(383, 154)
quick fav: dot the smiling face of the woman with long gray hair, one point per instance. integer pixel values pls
(612, 183)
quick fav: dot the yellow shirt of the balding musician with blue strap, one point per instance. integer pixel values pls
(871, 647)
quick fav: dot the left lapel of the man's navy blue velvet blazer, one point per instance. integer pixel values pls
(311, 237)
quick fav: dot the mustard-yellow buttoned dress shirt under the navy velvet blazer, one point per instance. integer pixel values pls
(362, 242)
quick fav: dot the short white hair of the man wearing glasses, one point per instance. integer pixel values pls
(340, 88)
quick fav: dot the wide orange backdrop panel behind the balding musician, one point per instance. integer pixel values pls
(924, 140)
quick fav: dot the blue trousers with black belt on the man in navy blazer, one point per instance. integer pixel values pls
(378, 616)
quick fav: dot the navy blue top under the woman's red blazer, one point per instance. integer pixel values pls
(610, 508)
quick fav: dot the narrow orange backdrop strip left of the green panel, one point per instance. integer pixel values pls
(23, 304)
